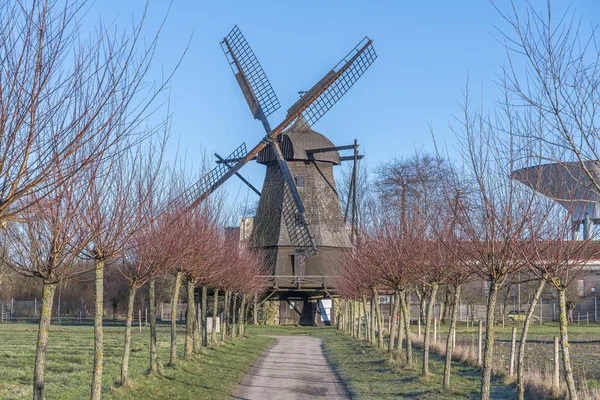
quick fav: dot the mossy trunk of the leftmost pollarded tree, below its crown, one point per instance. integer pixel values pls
(39, 387)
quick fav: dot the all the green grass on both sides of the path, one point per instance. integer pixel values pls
(365, 370)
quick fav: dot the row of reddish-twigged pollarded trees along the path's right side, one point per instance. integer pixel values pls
(455, 229)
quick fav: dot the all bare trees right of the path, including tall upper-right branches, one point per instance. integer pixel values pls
(436, 224)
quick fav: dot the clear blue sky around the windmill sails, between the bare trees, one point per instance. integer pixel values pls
(426, 49)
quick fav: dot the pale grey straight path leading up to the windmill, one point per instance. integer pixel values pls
(294, 368)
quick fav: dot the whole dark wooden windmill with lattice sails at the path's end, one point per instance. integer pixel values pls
(299, 223)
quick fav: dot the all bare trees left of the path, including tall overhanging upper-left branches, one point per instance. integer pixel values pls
(83, 185)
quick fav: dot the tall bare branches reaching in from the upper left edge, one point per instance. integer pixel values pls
(62, 91)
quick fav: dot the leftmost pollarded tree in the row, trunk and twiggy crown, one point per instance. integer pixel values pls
(45, 245)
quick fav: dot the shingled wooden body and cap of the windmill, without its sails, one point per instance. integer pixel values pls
(313, 175)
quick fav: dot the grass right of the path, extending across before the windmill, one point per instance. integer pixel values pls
(368, 374)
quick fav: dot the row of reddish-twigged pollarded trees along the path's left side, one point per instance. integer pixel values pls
(122, 213)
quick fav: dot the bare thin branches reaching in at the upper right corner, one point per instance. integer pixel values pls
(553, 73)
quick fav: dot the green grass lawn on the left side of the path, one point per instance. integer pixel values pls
(212, 375)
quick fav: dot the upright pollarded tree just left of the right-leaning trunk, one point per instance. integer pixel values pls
(494, 213)
